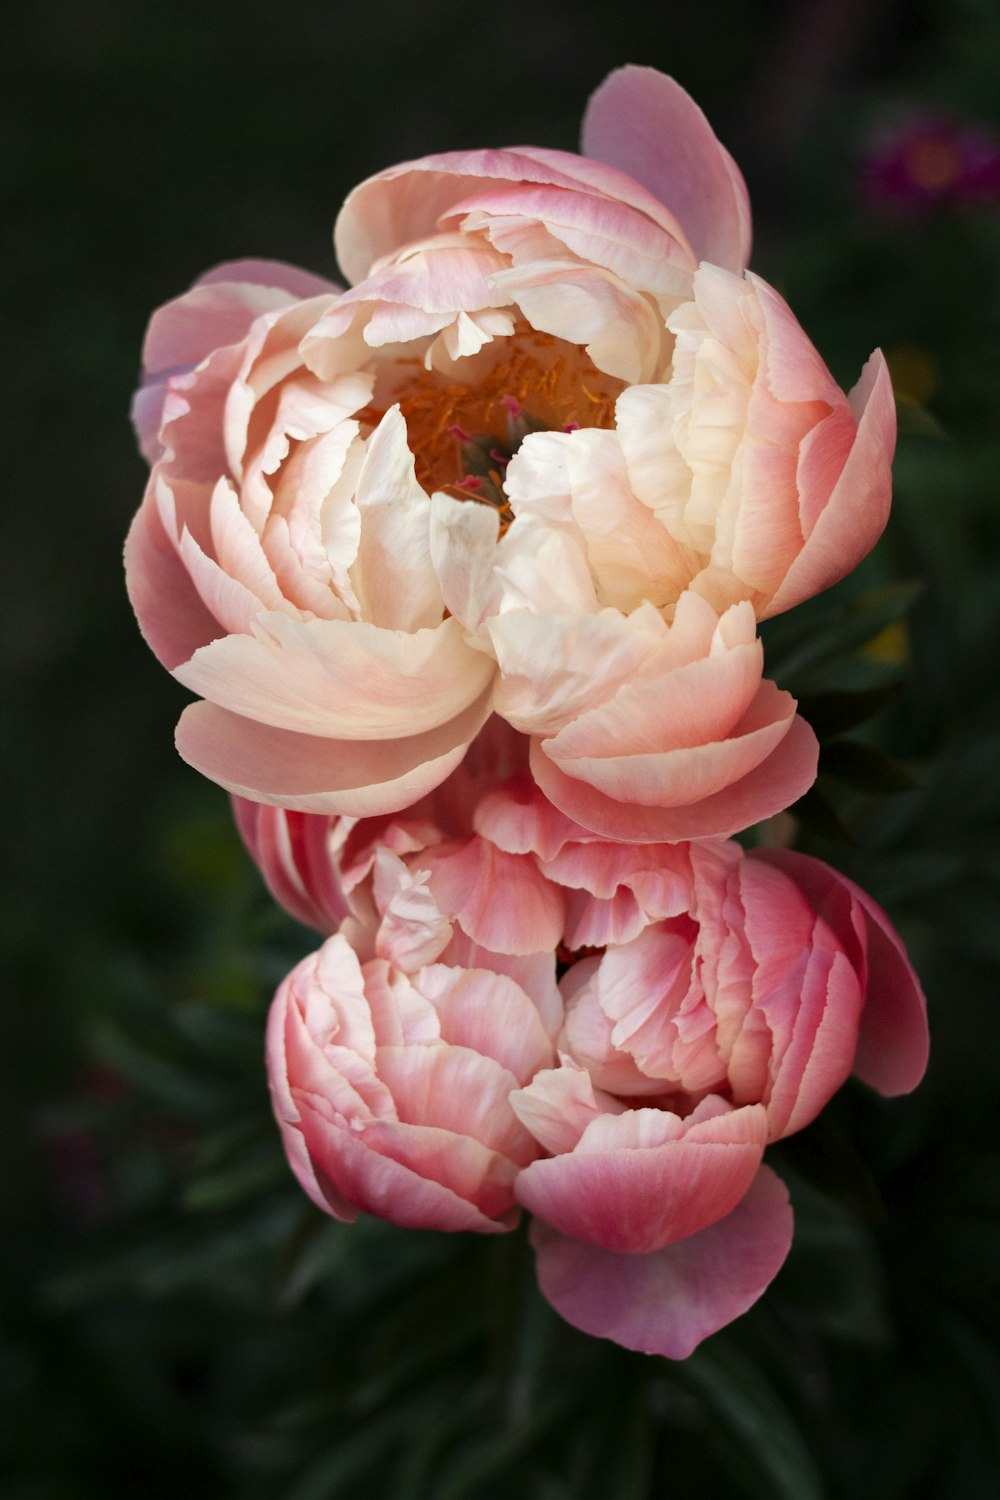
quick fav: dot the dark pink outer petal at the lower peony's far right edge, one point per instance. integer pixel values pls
(893, 1042)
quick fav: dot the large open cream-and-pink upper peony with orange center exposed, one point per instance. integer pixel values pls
(533, 460)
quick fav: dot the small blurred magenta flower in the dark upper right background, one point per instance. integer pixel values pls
(930, 160)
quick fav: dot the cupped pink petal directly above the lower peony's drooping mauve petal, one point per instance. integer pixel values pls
(638, 1198)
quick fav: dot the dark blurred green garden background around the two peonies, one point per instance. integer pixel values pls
(175, 1313)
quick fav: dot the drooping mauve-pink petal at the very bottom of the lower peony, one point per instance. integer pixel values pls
(669, 1301)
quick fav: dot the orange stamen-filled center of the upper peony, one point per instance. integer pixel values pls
(464, 434)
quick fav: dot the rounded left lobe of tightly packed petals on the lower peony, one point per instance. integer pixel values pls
(392, 1073)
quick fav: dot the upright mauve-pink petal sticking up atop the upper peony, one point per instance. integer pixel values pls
(644, 124)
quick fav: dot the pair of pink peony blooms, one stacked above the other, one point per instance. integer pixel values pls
(466, 566)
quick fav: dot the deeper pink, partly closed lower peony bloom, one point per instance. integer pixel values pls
(516, 1013)
